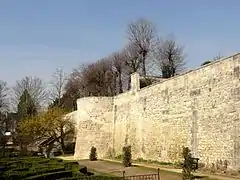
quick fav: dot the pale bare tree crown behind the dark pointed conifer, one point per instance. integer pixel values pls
(35, 87)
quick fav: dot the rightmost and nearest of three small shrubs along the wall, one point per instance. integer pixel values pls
(187, 164)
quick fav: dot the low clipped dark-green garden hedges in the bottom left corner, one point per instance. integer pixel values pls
(42, 168)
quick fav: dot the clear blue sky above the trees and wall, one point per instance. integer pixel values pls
(36, 37)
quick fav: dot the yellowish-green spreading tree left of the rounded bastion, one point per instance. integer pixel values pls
(51, 125)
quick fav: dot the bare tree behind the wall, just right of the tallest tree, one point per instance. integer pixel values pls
(170, 57)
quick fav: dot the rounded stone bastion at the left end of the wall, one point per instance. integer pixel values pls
(94, 126)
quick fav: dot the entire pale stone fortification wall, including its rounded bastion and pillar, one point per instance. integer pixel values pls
(199, 109)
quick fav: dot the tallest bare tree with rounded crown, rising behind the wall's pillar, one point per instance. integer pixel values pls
(142, 34)
